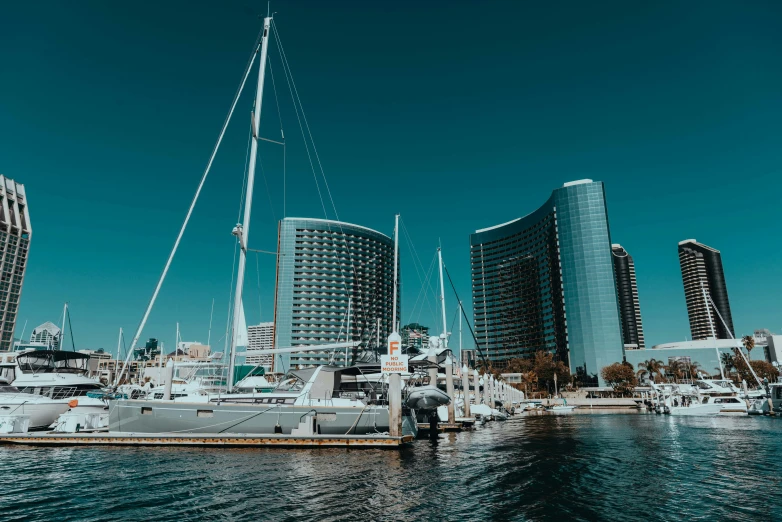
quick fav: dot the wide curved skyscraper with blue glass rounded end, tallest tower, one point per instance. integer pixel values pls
(546, 282)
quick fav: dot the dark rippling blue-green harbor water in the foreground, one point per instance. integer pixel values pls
(575, 467)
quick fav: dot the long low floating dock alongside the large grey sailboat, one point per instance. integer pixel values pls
(205, 440)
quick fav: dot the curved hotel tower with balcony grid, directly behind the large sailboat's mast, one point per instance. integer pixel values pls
(330, 276)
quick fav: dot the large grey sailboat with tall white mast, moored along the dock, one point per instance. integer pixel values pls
(322, 400)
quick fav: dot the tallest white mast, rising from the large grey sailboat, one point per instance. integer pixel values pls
(242, 230)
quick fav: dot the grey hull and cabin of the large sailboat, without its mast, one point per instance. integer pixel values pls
(324, 400)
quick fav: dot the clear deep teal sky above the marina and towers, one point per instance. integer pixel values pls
(457, 115)
